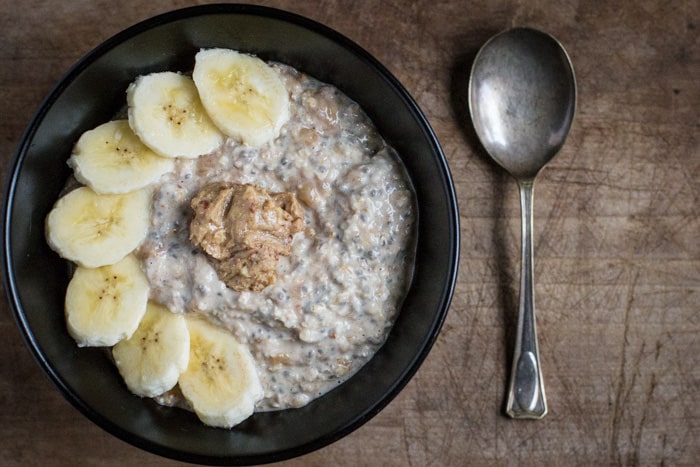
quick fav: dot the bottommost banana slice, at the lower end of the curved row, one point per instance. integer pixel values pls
(221, 382)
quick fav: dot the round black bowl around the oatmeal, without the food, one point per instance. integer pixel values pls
(36, 278)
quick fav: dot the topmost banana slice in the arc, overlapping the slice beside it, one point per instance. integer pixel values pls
(245, 97)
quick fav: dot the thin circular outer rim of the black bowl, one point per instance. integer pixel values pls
(69, 76)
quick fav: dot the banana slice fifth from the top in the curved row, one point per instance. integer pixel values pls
(105, 305)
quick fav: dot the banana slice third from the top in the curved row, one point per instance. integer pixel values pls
(112, 159)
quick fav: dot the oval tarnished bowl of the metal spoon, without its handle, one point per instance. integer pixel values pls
(522, 97)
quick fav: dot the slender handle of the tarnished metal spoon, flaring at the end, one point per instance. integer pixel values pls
(526, 397)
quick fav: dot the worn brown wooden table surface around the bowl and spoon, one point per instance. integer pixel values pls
(617, 239)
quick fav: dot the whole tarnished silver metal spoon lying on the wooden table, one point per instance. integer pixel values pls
(522, 99)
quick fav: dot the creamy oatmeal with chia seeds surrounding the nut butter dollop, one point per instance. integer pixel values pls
(343, 272)
